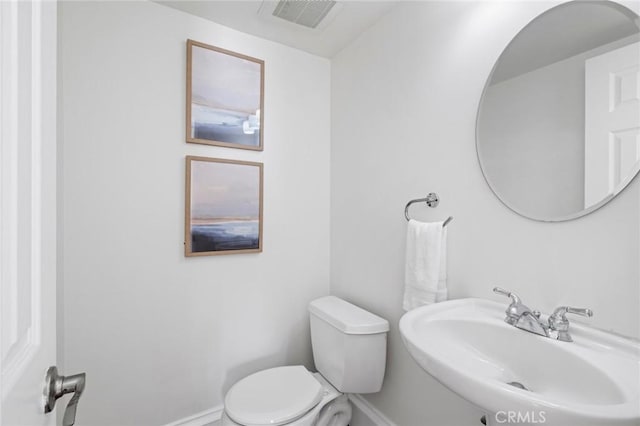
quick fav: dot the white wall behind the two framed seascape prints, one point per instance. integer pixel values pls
(162, 337)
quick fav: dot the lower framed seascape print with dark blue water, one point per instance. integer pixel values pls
(223, 207)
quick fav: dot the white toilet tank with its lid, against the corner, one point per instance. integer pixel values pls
(349, 345)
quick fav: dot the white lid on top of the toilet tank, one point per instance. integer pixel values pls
(348, 318)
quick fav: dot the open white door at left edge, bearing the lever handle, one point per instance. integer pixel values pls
(27, 208)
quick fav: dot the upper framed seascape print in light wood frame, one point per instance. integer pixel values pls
(224, 97)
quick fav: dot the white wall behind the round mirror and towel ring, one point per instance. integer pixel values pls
(404, 103)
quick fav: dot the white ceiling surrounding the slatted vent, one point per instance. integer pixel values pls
(352, 19)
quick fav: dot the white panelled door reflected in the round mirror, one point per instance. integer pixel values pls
(612, 122)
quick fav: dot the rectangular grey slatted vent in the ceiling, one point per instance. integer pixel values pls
(313, 14)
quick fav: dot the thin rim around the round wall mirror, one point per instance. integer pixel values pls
(627, 182)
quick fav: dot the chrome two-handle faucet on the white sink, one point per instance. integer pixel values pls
(557, 326)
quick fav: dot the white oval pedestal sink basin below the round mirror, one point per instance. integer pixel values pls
(518, 377)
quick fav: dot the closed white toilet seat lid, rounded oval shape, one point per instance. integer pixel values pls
(275, 396)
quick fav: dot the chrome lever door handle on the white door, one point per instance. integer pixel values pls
(55, 386)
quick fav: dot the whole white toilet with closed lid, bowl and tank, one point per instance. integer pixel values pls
(349, 351)
